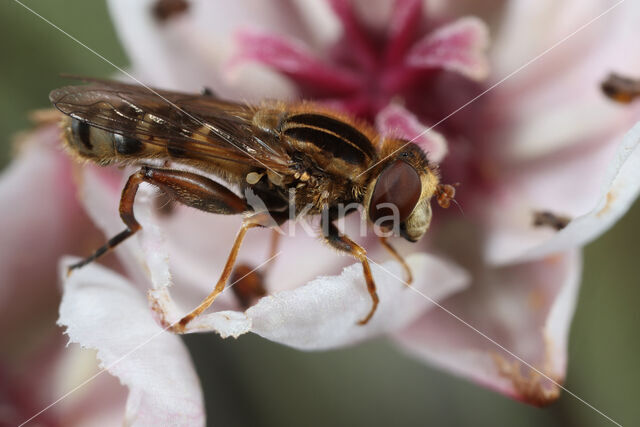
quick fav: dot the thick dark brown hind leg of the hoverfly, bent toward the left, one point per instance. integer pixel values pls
(187, 188)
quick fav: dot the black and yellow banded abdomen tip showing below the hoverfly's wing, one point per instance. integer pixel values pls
(104, 147)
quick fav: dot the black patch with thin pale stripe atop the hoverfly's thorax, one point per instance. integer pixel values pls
(331, 135)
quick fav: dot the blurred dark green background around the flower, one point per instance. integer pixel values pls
(253, 381)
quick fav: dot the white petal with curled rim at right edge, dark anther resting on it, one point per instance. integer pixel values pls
(595, 206)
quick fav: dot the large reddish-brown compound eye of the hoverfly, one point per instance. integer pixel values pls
(399, 184)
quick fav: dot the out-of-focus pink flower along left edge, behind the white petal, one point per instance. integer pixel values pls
(41, 218)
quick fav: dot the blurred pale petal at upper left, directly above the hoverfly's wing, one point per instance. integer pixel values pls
(188, 51)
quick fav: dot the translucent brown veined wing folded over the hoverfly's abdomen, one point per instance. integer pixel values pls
(203, 126)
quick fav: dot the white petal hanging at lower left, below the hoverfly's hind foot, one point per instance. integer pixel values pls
(101, 310)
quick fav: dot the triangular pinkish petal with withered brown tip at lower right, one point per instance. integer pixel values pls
(525, 309)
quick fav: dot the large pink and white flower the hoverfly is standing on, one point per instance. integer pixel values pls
(543, 144)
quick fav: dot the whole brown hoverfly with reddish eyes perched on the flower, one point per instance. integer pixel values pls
(274, 150)
